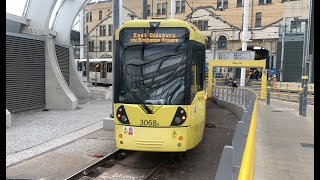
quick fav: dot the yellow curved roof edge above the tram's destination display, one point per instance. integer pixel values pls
(195, 33)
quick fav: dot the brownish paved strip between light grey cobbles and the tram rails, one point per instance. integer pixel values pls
(64, 161)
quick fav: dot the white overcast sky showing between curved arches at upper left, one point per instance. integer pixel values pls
(16, 7)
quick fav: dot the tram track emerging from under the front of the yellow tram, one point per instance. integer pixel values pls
(117, 166)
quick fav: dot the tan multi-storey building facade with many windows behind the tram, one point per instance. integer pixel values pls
(220, 21)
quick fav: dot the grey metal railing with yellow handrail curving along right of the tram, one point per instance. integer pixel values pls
(237, 160)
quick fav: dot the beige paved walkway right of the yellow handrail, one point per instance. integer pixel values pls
(284, 142)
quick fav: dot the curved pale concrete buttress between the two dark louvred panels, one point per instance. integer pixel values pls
(58, 95)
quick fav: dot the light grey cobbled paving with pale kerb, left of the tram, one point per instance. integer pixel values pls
(35, 133)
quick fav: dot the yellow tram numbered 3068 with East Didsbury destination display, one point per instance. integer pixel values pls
(159, 98)
